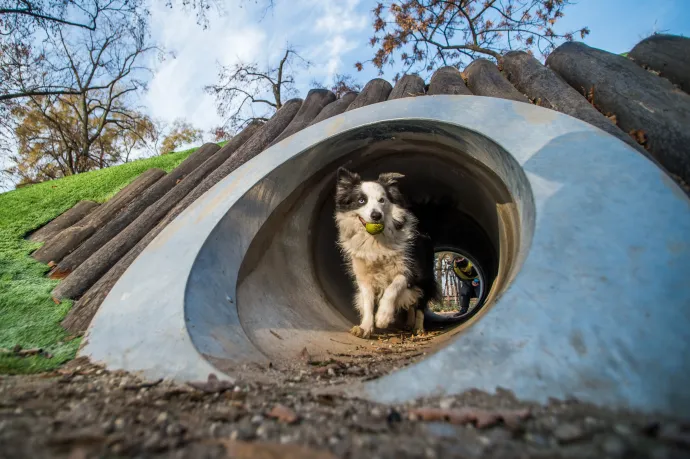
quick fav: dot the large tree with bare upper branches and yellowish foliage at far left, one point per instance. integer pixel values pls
(65, 132)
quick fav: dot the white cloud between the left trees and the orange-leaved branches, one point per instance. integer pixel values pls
(322, 31)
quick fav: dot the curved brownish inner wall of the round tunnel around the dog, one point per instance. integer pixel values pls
(293, 291)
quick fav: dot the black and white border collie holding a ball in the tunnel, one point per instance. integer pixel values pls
(394, 268)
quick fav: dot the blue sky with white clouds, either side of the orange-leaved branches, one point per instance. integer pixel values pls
(333, 34)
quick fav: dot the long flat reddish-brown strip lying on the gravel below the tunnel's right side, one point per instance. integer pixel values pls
(481, 418)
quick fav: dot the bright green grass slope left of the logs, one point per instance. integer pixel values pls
(28, 315)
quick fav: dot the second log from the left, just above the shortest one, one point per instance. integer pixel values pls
(69, 239)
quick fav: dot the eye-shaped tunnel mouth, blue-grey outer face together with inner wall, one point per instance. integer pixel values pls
(590, 297)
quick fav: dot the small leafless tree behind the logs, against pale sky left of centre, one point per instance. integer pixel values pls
(247, 92)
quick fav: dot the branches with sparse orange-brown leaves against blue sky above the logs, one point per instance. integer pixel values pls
(421, 35)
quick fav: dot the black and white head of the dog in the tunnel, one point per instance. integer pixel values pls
(377, 201)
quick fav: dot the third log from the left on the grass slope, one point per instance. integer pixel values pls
(129, 213)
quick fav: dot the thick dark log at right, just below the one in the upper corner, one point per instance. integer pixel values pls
(640, 100)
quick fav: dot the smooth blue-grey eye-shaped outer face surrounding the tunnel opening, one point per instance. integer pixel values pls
(566, 326)
